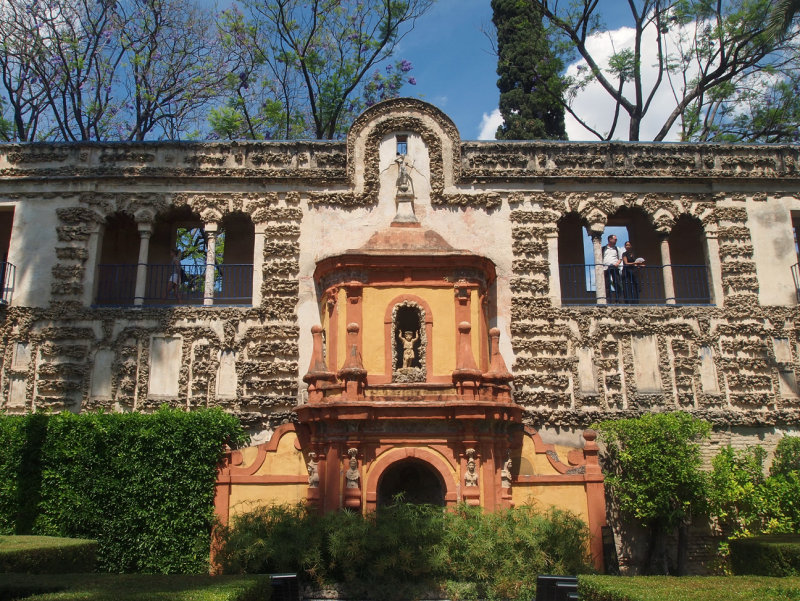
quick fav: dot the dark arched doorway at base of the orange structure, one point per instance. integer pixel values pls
(417, 481)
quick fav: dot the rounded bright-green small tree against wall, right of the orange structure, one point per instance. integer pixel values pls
(653, 472)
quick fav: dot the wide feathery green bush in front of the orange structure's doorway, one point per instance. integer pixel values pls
(405, 547)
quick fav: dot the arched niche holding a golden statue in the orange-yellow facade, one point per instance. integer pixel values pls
(409, 342)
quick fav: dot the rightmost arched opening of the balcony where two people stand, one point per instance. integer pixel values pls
(689, 262)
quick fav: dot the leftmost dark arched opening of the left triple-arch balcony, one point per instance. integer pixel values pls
(119, 254)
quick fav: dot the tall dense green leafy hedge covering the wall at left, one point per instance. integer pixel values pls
(141, 485)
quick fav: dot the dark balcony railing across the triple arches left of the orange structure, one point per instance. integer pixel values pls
(116, 286)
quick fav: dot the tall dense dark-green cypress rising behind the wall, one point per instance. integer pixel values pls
(529, 81)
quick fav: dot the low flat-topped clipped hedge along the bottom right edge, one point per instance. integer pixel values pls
(690, 588)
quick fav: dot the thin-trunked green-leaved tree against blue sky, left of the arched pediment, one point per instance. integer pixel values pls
(325, 49)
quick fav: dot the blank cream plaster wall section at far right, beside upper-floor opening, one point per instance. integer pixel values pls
(773, 249)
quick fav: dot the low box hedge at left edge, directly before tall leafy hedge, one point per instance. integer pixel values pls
(47, 555)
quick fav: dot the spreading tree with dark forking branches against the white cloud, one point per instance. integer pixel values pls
(716, 59)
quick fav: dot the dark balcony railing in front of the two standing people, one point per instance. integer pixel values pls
(642, 286)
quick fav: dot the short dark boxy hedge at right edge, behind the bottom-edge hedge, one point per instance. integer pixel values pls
(767, 555)
